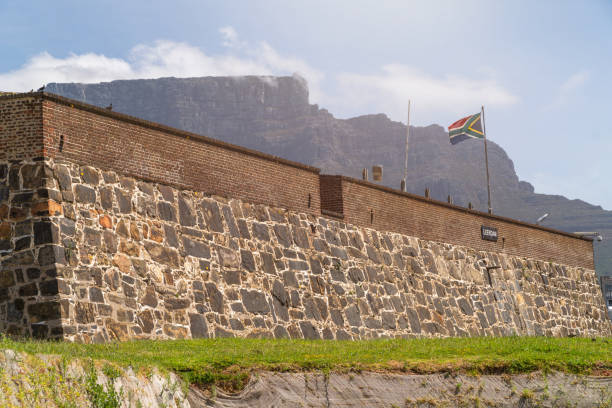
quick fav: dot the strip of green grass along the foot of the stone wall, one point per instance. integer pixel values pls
(228, 362)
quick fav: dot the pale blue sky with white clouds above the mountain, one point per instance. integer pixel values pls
(542, 69)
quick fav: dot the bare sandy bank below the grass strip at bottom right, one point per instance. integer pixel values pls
(271, 390)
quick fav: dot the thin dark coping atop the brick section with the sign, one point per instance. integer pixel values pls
(459, 208)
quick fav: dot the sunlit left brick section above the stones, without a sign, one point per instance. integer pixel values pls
(149, 151)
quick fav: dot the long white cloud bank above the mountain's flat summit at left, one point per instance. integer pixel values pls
(160, 59)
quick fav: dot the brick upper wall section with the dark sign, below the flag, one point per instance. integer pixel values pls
(384, 209)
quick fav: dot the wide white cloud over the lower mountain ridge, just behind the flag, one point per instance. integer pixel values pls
(434, 97)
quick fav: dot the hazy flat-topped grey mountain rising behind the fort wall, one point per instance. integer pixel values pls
(273, 115)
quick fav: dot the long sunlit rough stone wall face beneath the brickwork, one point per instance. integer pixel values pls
(148, 261)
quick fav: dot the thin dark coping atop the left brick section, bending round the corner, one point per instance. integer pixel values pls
(159, 127)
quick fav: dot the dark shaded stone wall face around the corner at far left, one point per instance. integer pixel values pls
(29, 301)
